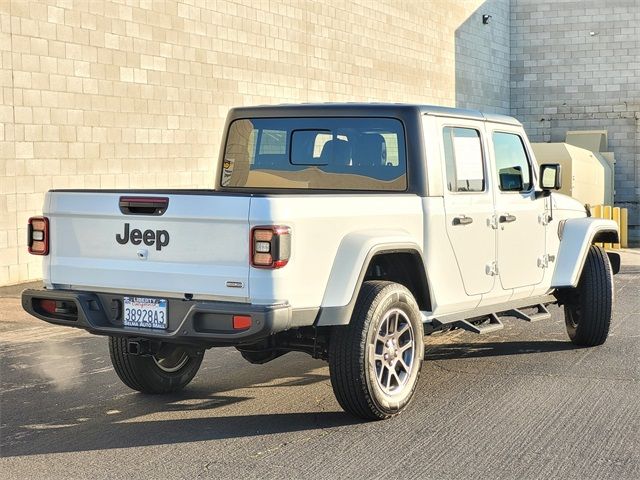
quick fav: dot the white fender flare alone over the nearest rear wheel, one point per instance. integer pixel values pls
(350, 267)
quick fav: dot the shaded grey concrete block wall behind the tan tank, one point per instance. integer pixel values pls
(575, 65)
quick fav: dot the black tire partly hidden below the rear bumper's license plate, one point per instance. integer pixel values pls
(147, 374)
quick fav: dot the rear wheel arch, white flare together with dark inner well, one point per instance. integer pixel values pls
(397, 260)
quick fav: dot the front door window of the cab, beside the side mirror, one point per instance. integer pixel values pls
(512, 163)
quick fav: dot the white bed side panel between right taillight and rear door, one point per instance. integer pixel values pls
(319, 224)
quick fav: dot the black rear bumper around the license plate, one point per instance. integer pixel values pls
(192, 322)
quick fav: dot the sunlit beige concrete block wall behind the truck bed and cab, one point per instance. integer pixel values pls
(133, 93)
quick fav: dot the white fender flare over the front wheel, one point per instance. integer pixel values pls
(578, 234)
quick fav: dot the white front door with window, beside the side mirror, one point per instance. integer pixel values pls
(520, 216)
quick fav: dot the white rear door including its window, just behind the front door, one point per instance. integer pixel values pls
(469, 203)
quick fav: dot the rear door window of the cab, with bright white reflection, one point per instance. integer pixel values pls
(463, 159)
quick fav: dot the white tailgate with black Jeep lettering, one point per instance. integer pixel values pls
(199, 245)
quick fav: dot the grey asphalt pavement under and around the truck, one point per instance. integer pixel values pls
(519, 403)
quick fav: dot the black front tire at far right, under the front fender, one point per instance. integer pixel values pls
(588, 312)
